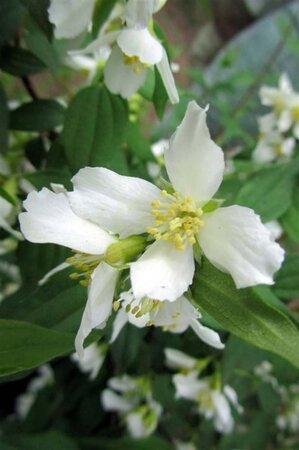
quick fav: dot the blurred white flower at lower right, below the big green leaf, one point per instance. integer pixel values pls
(212, 403)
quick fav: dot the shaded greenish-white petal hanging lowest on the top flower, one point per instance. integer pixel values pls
(121, 78)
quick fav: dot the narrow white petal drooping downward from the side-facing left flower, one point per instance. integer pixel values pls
(99, 303)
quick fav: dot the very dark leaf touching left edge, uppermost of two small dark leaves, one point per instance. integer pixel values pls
(19, 61)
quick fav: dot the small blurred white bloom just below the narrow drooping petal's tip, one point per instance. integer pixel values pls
(92, 361)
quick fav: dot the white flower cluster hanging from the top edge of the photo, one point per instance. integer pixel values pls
(129, 51)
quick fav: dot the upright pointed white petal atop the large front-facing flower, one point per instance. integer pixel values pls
(194, 163)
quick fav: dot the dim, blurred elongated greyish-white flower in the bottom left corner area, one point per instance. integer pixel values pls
(24, 402)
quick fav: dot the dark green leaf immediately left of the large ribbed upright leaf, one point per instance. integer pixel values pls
(38, 115)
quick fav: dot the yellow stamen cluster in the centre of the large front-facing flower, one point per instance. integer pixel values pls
(177, 219)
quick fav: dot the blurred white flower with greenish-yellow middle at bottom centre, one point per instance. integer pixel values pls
(133, 401)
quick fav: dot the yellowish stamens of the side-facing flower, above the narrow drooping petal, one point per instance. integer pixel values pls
(84, 264)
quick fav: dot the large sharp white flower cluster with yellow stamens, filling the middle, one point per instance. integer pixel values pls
(117, 223)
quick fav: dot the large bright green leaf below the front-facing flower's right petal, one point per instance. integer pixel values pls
(245, 315)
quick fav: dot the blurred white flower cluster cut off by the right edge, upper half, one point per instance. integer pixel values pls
(278, 129)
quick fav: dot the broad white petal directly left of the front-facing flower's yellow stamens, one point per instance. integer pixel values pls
(117, 203)
